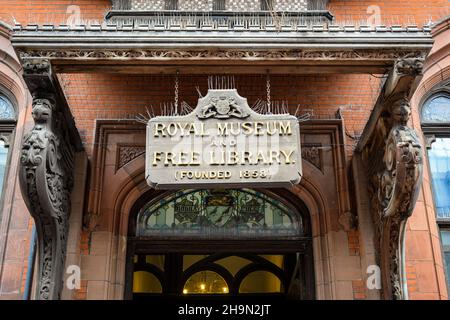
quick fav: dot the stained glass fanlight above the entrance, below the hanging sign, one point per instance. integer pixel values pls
(218, 214)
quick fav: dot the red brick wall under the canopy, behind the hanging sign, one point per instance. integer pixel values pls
(96, 96)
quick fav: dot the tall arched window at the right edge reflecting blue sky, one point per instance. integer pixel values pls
(436, 127)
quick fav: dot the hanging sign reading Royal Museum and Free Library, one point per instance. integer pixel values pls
(223, 143)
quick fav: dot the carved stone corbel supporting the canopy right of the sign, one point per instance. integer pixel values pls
(393, 155)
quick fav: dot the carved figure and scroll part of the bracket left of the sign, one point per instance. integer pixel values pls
(46, 182)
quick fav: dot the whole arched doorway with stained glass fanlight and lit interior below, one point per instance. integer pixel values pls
(219, 243)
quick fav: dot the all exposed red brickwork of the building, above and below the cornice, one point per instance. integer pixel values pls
(93, 96)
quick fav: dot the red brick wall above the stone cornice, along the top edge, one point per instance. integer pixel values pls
(349, 11)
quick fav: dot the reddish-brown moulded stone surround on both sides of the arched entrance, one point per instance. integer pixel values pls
(116, 187)
